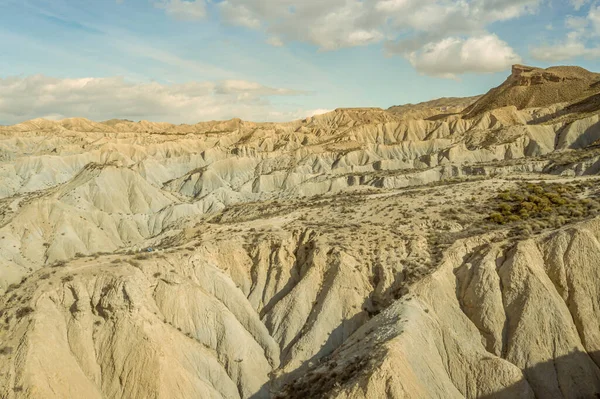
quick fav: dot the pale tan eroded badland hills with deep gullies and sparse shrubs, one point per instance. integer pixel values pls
(416, 252)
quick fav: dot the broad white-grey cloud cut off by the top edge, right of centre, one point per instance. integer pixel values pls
(406, 26)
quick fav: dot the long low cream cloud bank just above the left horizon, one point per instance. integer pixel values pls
(23, 98)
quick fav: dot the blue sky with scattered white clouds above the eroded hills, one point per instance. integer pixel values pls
(184, 61)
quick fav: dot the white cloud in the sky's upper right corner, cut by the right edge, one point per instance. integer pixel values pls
(581, 31)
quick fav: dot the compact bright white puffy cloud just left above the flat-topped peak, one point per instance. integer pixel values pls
(453, 56)
